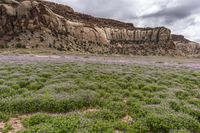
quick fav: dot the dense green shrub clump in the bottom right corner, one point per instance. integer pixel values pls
(166, 123)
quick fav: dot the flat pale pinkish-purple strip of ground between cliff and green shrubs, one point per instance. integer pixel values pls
(175, 62)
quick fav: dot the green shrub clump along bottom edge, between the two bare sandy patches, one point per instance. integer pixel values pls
(72, 123)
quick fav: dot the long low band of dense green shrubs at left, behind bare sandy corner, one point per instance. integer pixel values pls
(57, 103)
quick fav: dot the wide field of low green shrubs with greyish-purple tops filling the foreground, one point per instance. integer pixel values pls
(157, 99)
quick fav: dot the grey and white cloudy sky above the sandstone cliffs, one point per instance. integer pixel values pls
(182, 16)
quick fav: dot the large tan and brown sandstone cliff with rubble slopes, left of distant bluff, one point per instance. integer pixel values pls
(42, 24)
